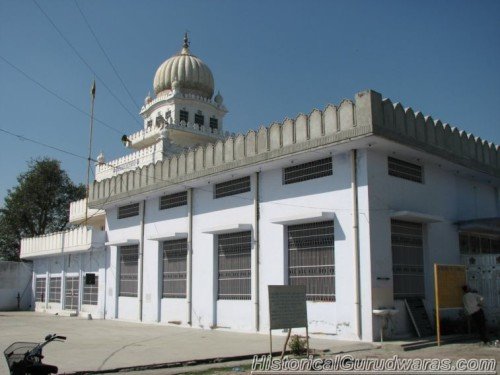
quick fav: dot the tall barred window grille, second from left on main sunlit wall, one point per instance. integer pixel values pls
(174, 268)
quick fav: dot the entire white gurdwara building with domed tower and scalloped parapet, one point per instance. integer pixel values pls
(357, 202)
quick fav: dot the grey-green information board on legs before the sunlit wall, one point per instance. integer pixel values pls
(287, 306)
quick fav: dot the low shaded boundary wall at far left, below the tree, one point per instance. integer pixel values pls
(15, 278)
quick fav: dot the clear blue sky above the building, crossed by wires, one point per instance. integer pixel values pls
(270, 60)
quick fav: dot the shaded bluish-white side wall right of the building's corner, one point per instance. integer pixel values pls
(444, 193)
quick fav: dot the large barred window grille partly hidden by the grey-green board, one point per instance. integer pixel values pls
(311, 259)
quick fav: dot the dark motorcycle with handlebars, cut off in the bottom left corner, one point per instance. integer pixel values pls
(26, 357)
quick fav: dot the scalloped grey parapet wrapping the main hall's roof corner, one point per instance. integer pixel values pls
(367, 115)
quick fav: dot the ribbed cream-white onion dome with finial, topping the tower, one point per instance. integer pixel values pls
(192, 75)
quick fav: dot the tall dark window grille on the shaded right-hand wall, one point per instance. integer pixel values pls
(407, 259)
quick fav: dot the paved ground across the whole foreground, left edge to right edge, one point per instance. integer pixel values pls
(94, 345)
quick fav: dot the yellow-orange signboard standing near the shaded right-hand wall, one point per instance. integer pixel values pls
(450, 279)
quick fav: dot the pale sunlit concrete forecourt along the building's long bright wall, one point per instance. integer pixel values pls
(107, 344)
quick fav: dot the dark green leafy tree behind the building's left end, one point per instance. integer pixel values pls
(38, 205)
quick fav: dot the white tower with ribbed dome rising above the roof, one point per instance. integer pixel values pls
(184, 108)
